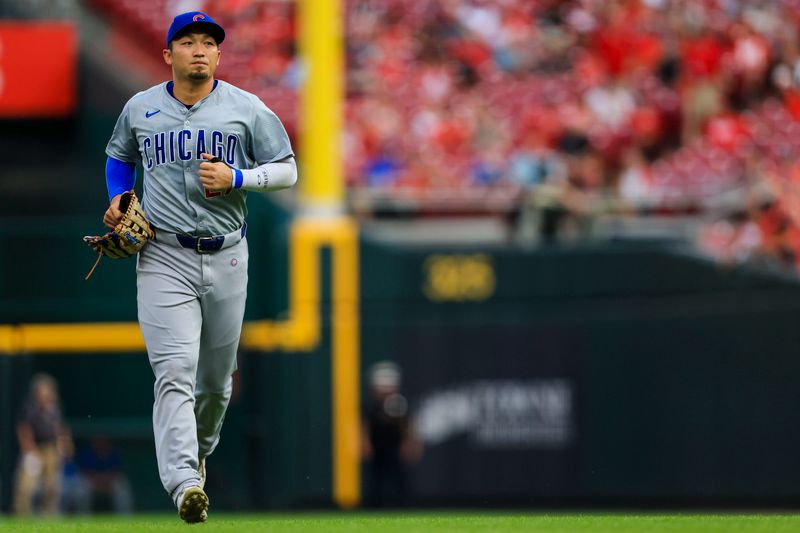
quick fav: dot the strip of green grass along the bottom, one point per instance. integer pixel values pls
(422, 522)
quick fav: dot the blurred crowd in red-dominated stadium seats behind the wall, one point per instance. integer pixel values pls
(632, 106)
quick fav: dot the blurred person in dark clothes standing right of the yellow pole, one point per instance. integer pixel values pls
(389, 444)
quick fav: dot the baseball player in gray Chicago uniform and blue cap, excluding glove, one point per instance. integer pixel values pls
(202, 143)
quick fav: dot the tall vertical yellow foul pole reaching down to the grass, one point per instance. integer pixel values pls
(322, 203)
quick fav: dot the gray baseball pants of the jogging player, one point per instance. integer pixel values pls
(191, 308)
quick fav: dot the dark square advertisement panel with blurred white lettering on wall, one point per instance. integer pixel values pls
(496, 413)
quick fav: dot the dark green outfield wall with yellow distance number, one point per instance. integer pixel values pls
(617, 374)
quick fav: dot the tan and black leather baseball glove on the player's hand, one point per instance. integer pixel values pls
(127, 238)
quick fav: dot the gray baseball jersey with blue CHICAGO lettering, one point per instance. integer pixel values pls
(168, 139)
